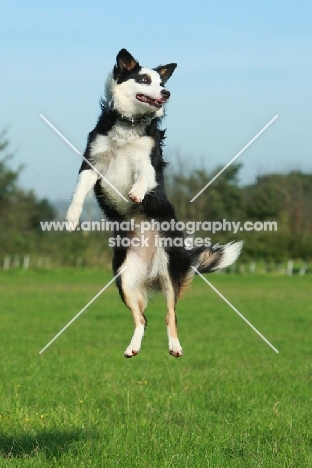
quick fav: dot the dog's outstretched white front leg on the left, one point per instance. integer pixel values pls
(86, 182)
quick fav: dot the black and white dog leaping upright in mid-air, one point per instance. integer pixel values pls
(126, 148)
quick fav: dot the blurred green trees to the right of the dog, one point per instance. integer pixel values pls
(283, 198)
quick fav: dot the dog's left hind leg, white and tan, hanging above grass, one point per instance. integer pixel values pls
(134, 295)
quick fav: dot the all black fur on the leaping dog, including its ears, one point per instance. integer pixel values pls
(155, 205)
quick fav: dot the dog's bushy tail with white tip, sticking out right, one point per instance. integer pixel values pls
(206, 260)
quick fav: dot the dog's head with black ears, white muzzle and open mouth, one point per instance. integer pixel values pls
(135, 90)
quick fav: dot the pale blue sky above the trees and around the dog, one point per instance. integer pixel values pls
(239, 64)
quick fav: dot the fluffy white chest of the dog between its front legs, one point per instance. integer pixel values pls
(121, 162)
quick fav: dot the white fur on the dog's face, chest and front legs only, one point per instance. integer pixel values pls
(123, 155)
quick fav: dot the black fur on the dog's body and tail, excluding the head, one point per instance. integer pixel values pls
(155, 205)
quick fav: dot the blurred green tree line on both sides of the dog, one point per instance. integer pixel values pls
(283, 198)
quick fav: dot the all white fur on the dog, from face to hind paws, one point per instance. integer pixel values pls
(123, 156)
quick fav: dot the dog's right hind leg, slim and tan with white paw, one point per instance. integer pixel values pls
(175, 348)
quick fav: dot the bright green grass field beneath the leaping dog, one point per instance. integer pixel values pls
(230, 401)
